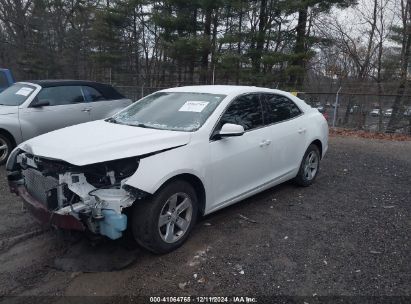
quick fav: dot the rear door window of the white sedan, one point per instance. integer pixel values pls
(279, 108)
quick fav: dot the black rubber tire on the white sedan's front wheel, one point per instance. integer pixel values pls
(146, 217)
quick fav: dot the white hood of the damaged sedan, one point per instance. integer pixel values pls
(100, 141)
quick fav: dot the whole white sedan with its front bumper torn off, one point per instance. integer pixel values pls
(162, 162)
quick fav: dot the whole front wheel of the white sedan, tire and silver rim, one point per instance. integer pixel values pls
(163, 223)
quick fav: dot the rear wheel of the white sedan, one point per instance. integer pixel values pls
(309, 167)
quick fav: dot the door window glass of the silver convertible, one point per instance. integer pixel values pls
(62, 95)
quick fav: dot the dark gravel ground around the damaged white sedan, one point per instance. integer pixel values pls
(347, 235)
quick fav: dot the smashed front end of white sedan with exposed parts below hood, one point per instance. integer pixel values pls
(91, 197)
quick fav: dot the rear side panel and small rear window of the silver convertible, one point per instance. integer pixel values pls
(99, 106)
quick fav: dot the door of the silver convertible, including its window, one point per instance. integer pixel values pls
(66, 107)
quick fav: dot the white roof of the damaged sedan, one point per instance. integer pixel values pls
(221, 89)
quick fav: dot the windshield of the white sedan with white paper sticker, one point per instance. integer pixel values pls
(176, 111)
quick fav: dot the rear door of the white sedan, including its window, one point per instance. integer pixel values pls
(285, 122)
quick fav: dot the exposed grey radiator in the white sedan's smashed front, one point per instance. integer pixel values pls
(42, 188)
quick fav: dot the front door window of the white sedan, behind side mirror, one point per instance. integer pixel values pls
(245, 111)
